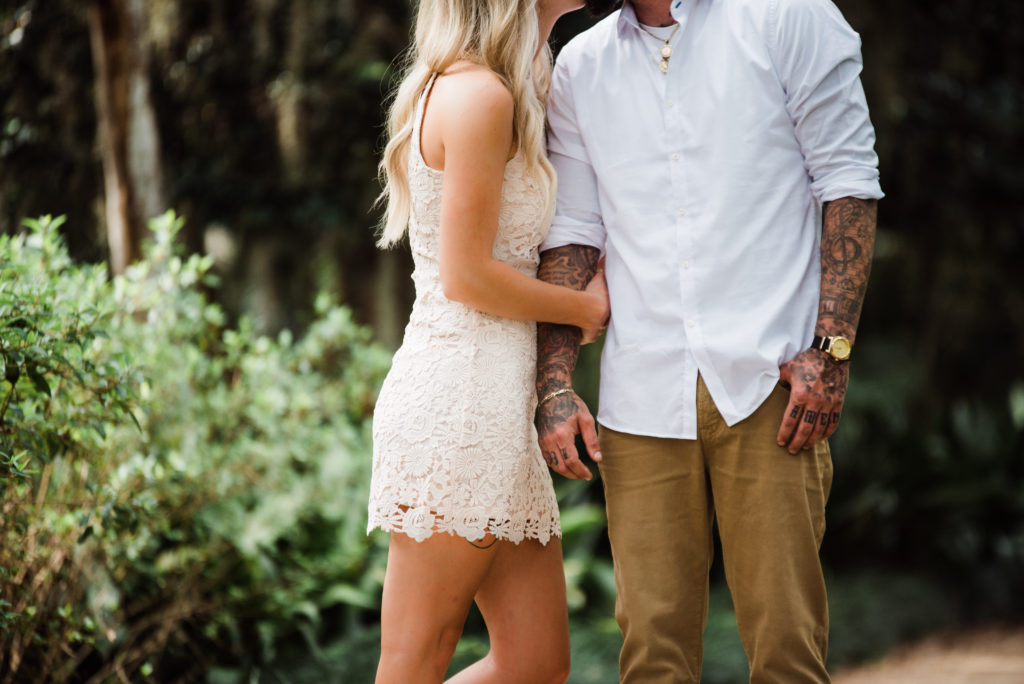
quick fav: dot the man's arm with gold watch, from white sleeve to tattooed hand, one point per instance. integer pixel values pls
(819, 59)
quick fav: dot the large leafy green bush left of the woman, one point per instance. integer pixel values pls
(227, 519)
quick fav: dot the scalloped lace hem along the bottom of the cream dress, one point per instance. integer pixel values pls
(421, 523)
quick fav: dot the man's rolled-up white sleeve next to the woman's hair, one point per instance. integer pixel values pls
(578, 215)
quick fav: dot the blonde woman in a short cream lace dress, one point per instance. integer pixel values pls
(458, 479)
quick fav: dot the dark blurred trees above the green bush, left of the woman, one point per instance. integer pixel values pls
(258, 120)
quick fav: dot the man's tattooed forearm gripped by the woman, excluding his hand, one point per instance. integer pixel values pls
(559, 346)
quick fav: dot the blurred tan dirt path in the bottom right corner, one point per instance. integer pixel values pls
(986, 657)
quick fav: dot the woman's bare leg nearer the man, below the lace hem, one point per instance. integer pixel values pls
(523, 601)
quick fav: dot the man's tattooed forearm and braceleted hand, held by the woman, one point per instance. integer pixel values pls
(563, 417)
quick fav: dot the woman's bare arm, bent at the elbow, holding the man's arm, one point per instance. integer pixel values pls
(472, 113)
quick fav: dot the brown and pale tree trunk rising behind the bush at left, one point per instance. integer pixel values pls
(127, 123)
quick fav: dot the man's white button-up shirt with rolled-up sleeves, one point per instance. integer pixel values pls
(704, 187)
